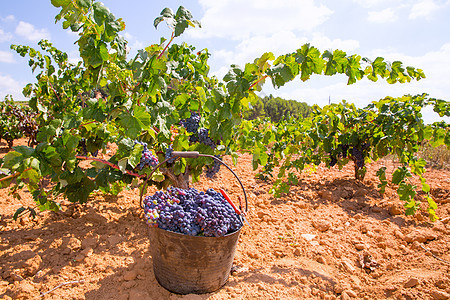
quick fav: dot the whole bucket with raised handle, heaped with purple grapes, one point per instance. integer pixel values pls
(193, 235)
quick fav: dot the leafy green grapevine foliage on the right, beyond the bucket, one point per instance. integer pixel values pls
(339, 133)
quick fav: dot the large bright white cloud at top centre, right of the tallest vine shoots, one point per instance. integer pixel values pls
(238, 20)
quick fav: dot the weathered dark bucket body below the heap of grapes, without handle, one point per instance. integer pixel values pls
(186, 264)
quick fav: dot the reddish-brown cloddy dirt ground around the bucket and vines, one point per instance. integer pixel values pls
(331, 237)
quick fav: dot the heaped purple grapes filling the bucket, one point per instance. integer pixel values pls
(191, 212)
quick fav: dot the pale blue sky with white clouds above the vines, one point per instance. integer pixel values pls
(237, 31)
